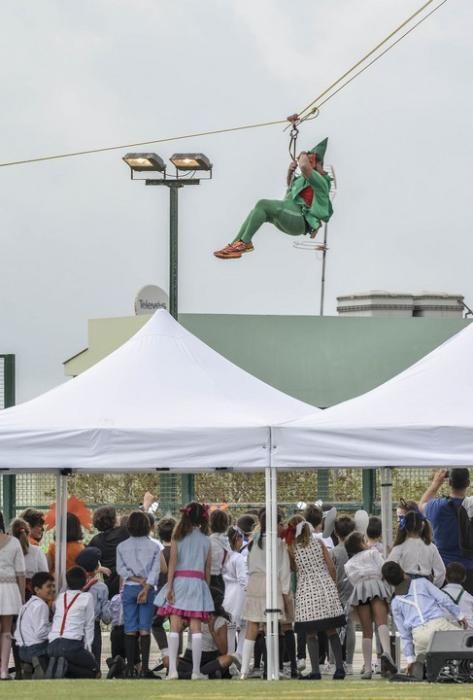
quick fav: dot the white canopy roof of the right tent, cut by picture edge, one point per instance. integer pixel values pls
(421, 417)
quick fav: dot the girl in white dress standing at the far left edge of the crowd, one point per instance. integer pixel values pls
(12, 594)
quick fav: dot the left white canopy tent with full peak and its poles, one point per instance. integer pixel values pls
(162, 401)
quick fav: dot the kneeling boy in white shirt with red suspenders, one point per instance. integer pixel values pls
(72, 632)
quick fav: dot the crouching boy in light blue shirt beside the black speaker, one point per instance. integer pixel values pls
(419, 609)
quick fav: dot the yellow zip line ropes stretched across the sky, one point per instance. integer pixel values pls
(308, 112)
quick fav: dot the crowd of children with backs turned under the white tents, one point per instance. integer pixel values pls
(200, 590)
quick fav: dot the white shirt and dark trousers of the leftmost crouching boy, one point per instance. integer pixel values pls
(32, 630)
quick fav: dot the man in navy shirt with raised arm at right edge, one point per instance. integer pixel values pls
(442, 513)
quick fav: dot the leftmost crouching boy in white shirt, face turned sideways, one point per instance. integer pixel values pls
(33, 627)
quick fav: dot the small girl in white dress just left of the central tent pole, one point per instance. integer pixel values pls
(235, 575)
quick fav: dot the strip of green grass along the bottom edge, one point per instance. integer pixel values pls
(233, 690)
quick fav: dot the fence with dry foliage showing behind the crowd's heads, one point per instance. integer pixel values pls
(347, 489)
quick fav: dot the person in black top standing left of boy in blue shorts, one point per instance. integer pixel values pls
(109, 537)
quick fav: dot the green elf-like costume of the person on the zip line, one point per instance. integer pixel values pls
(292, 215)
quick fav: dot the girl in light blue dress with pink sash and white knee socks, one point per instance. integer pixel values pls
(187, 595)
